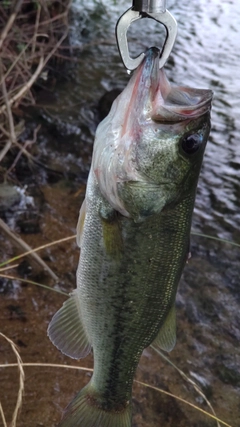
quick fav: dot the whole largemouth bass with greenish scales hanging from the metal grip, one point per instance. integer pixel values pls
(133, 230)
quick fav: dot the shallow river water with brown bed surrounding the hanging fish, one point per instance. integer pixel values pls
(206, 55)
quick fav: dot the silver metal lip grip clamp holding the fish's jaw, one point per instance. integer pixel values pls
(155, 9)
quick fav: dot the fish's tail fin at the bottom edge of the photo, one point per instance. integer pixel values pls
(83, 411)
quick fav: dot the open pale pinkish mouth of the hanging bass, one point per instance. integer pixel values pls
(162, 102)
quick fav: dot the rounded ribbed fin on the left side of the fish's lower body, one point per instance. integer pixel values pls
(66, 329)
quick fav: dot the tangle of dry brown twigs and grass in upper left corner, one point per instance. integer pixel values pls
(31, 33)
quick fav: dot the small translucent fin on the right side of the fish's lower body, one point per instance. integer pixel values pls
(166, 338)
